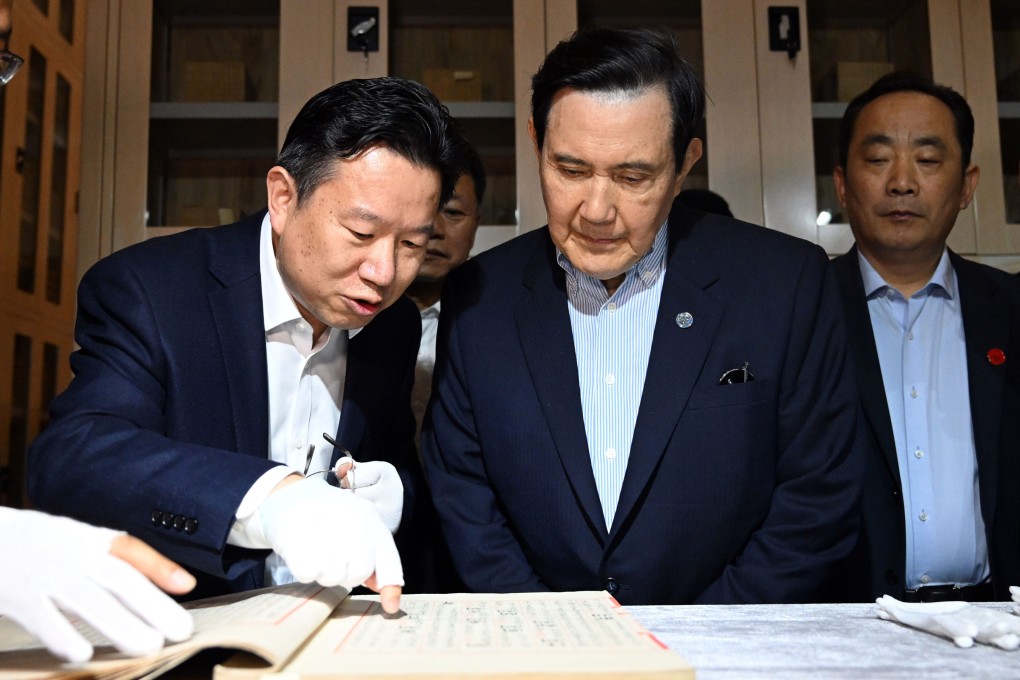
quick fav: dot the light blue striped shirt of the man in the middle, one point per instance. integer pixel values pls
(613, 339)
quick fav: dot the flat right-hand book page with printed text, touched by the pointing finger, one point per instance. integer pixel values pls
(533, 636)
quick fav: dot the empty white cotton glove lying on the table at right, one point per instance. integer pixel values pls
(958, 621)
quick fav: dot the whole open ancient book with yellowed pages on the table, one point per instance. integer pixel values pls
(309, 632)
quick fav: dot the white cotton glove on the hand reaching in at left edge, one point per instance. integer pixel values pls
(56, 562)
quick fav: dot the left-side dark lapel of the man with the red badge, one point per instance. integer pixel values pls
(864, 353)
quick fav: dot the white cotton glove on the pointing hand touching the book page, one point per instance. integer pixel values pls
(330, 536)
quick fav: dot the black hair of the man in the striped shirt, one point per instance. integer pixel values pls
(630, 61)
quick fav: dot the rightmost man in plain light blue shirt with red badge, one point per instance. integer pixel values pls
(933, 337)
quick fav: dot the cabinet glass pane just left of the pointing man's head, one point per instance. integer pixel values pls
(213, 134)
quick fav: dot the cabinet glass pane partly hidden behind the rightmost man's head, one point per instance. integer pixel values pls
(852, 45)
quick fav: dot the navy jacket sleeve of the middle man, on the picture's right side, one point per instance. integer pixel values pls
(813, 517)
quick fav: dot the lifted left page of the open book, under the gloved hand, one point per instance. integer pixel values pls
(272, 623)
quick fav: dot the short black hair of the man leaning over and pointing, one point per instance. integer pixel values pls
(352, 117)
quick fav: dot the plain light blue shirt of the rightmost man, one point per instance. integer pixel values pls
(923, 353)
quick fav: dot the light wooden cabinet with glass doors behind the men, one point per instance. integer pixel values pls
(156, 159)
